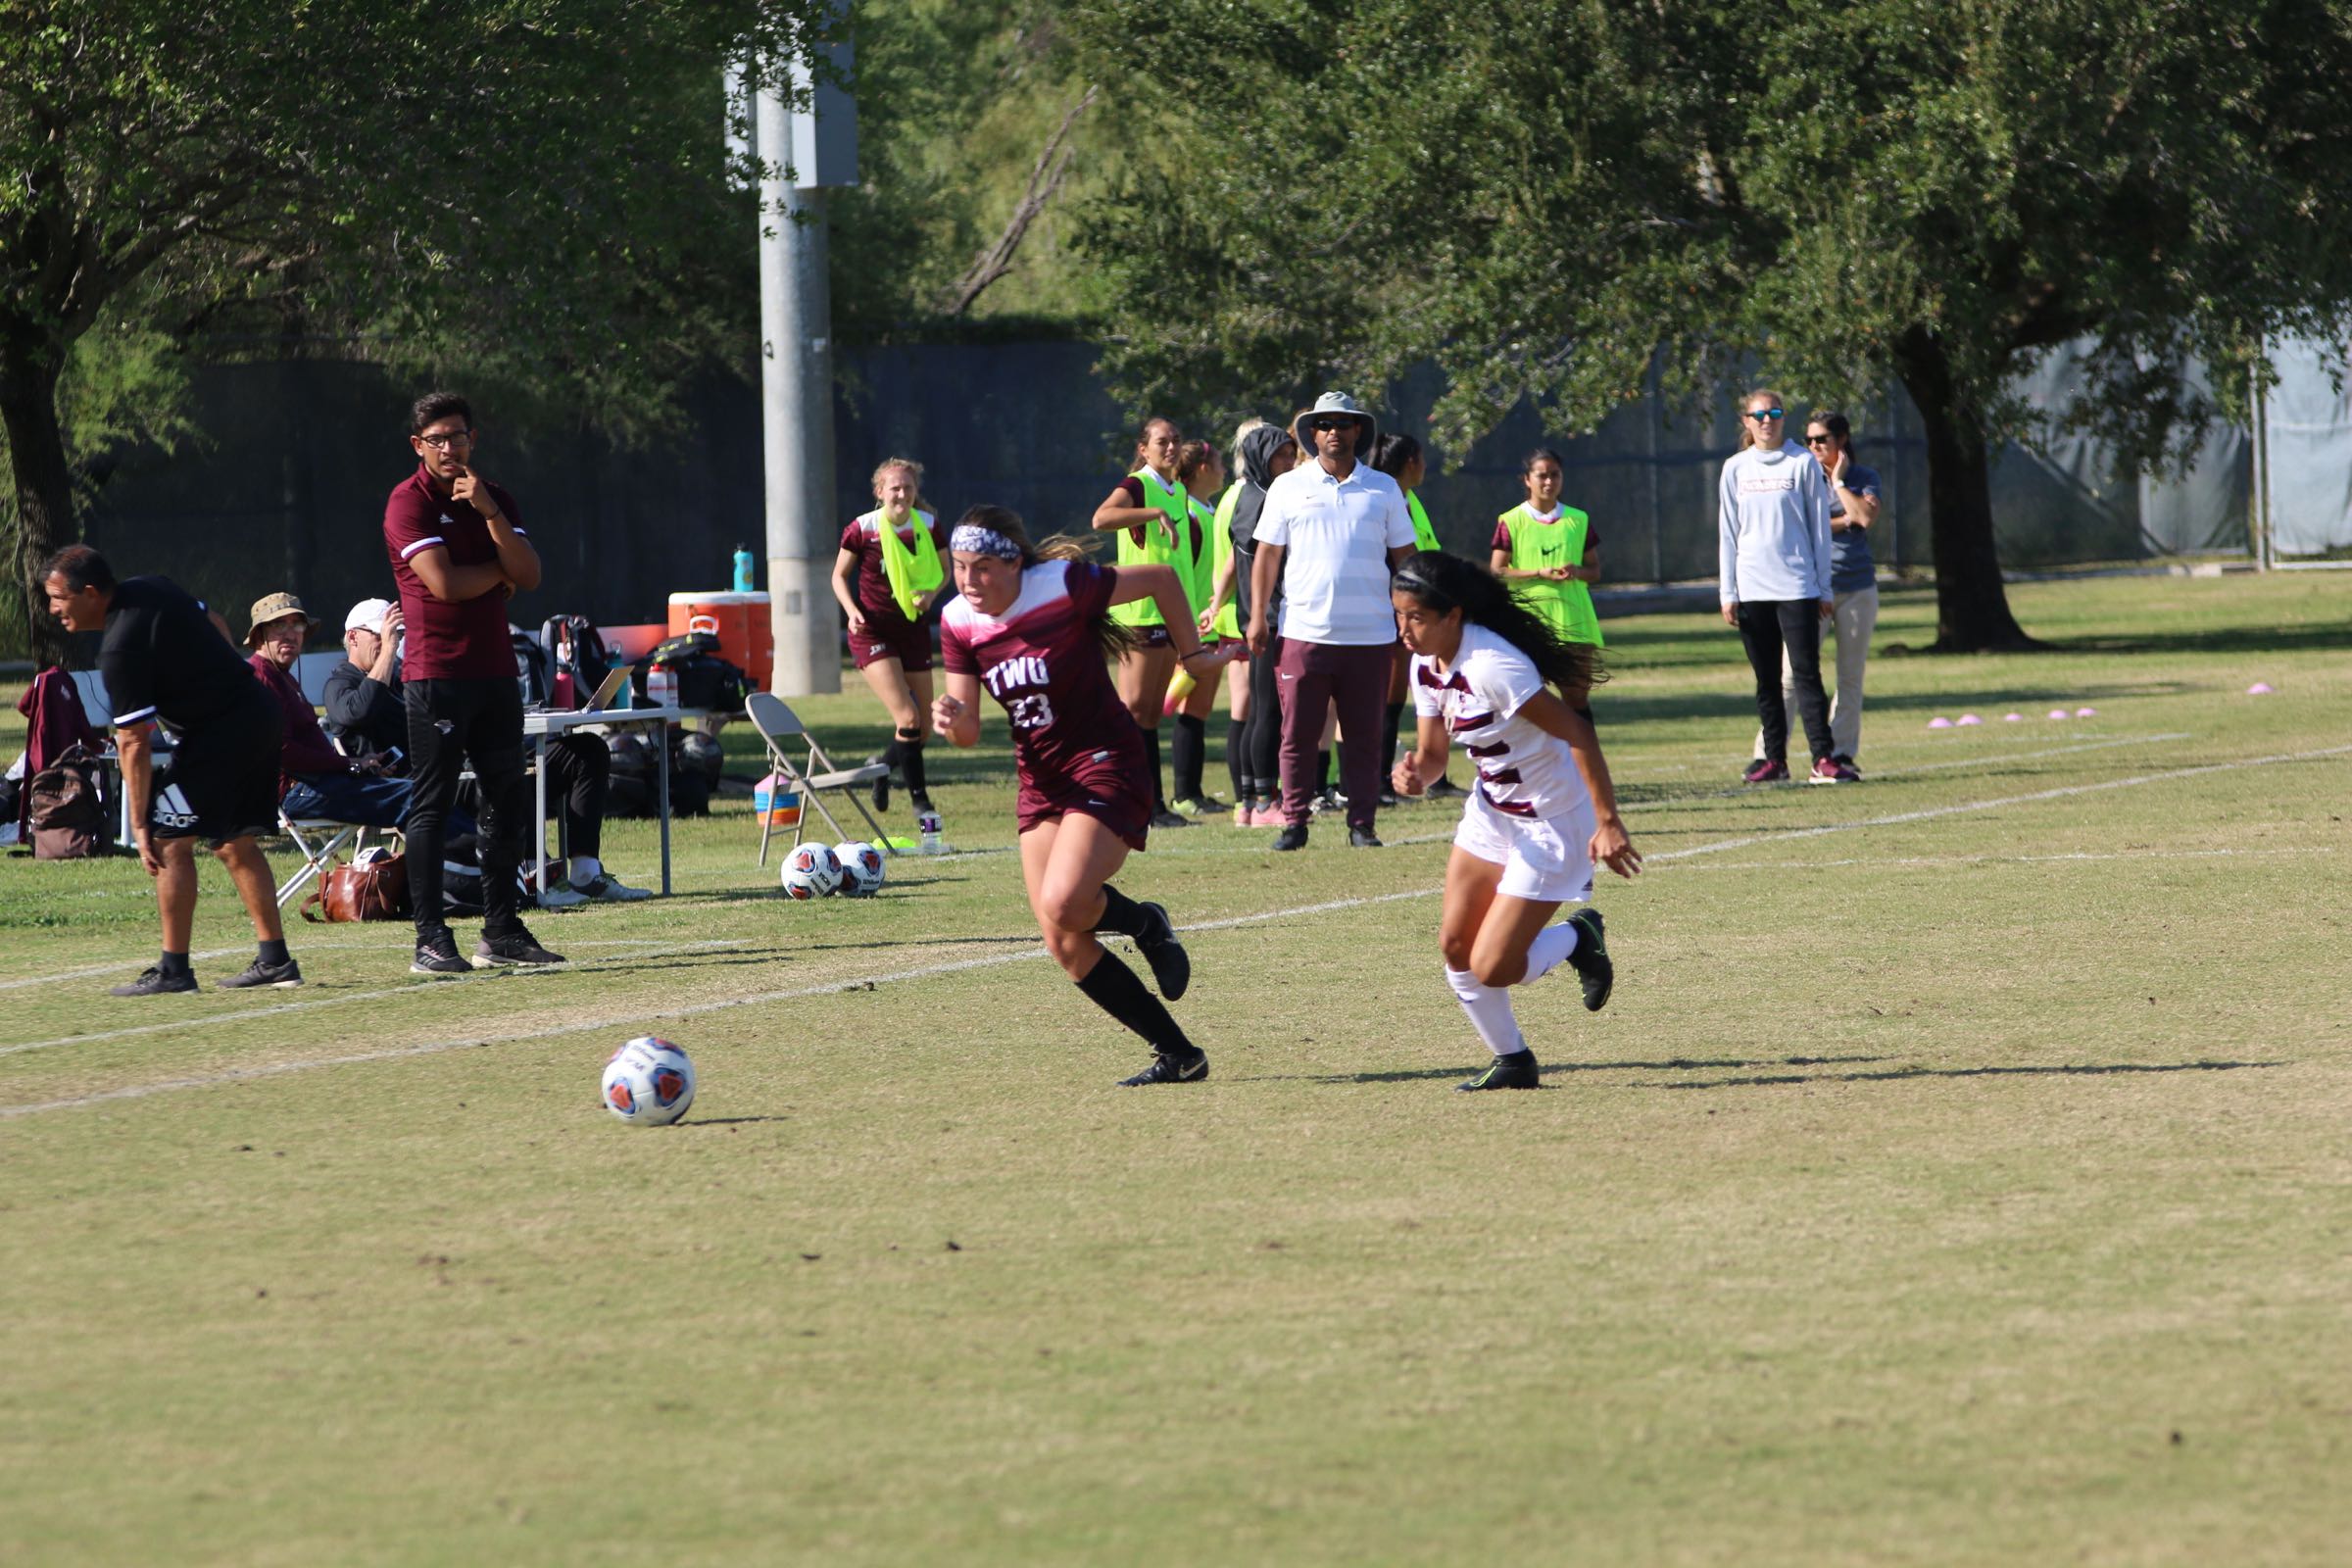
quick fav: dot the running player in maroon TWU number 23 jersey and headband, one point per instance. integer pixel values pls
(1031, 626)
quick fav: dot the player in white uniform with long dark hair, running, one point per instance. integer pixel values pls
(1542, 815)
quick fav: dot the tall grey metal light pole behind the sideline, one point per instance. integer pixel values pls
(803, 152)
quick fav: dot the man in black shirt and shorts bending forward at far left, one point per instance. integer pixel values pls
(163, 662)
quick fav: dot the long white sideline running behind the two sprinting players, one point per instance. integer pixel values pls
(140, 1092)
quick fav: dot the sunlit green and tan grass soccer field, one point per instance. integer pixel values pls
(1960, 1177)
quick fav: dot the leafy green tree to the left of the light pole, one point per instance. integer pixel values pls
(526, 187)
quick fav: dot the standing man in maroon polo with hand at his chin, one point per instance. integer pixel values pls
(460, 556)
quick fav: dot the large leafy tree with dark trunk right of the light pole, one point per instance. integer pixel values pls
(1551, 196)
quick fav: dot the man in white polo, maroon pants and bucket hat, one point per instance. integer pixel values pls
(1330, 535)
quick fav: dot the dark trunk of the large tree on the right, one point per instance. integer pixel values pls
(1972, 605)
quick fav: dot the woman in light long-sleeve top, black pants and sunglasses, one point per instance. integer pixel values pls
(1775, 579)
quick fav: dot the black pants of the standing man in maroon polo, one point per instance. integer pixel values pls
(450, 725)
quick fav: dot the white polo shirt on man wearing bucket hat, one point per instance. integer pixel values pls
(1337, 537)
